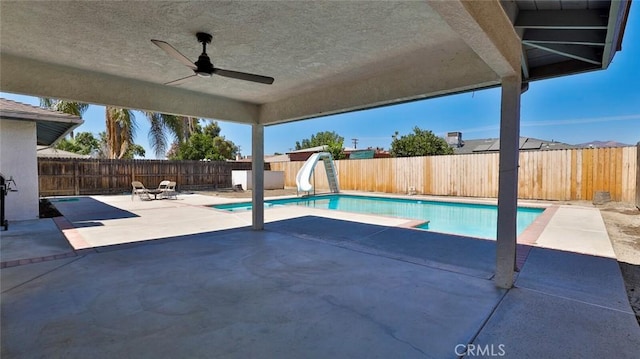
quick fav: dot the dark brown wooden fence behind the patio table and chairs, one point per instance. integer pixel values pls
(62, 176)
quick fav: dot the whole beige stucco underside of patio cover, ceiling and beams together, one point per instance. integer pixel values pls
(326, 56)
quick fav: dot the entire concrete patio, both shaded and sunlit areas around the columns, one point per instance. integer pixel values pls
(166, 278)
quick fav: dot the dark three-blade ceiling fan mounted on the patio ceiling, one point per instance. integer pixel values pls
(203, 67)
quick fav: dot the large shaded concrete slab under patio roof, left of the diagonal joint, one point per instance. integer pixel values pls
(242, 293)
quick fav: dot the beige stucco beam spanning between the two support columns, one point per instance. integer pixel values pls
(401, 83)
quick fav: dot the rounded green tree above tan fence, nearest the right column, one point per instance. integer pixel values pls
(419, 143)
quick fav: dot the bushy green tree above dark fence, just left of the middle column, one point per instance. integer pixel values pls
(206, 144)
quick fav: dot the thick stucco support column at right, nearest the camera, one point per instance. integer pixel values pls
(508, 181)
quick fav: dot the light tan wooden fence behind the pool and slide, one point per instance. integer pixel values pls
(548, 175)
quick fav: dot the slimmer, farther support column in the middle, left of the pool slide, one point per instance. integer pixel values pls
(257, 176)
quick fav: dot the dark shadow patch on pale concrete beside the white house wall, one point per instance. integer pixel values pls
(82, 211)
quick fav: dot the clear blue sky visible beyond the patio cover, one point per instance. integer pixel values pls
(600, 105)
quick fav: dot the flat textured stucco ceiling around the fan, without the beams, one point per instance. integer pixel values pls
(313, 41)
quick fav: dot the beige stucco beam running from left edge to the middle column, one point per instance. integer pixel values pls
(62, 82)
